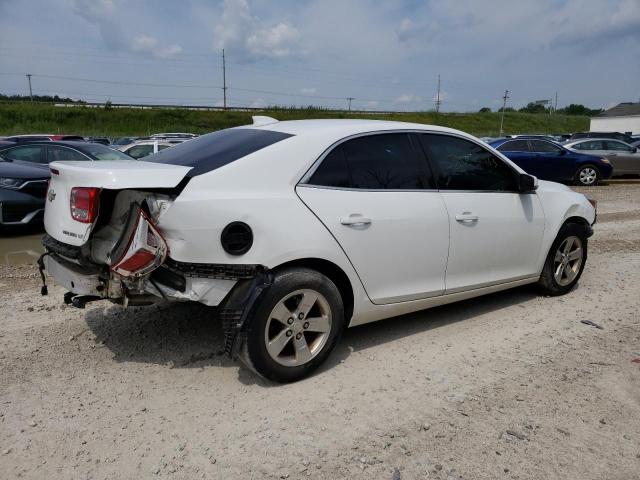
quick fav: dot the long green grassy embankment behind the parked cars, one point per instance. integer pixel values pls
(16, 118)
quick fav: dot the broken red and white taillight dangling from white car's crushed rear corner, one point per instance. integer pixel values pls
(145, 251)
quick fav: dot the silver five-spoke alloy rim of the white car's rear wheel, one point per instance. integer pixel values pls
(298, 327)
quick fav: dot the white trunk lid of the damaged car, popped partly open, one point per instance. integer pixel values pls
(106, 175)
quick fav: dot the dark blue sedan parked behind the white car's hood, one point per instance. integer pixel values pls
(549, 161)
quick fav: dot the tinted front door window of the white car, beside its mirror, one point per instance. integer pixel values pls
(464, 165)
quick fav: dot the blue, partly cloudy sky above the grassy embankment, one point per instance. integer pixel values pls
(386, 55)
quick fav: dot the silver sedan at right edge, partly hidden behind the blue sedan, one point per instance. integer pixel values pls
(624, 158)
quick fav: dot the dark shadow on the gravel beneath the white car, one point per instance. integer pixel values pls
(189, 335)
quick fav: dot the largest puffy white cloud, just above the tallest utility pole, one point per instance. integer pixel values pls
(246, 35)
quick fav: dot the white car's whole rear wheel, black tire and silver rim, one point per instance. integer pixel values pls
(294, 326)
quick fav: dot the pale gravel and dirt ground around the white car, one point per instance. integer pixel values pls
(510, 386)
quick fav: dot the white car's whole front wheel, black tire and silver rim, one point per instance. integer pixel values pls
(565, 261)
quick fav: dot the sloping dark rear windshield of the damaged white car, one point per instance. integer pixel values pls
(214, 150)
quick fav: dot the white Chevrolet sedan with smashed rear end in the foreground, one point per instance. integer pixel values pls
(297, 229)
